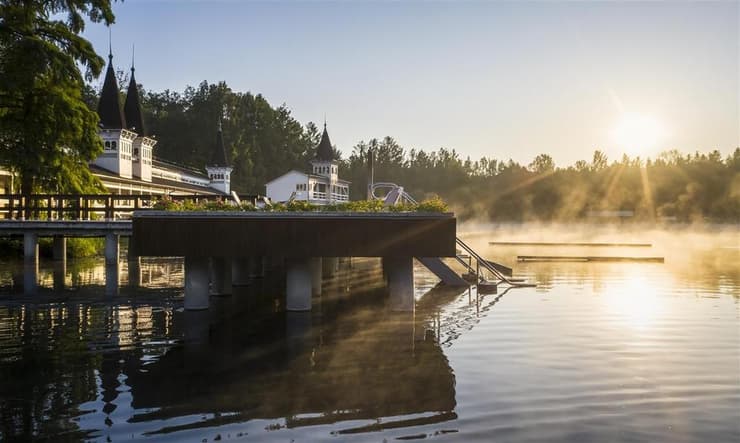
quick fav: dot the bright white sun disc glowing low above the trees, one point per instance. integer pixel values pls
(638, 134)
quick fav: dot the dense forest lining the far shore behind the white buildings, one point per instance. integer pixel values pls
(264, 142)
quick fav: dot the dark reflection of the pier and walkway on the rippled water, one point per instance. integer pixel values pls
(148, 367)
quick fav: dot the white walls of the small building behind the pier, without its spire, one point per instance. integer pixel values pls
(313, 188)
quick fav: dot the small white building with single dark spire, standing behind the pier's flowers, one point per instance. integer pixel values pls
(321, 186)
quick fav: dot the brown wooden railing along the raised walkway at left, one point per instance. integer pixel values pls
(82, 206)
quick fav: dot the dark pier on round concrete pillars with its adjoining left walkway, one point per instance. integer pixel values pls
(226, 249)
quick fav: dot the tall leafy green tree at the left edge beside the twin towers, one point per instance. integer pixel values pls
(48, 134)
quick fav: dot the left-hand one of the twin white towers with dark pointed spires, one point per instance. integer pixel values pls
(117, 139)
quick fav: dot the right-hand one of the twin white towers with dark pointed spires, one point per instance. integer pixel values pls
(143, 146)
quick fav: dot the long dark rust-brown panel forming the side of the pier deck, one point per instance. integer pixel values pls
(244, 234)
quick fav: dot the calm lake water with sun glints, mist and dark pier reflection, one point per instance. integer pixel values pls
(597, 352)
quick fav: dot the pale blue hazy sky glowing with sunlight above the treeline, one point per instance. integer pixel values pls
(500, 79)
